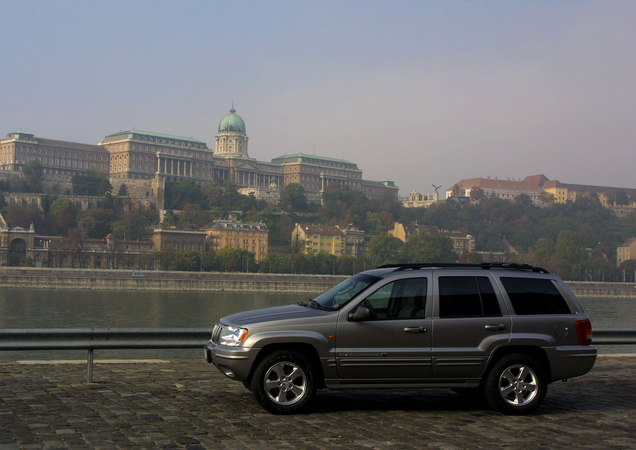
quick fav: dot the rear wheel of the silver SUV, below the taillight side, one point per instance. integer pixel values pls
(516, 385)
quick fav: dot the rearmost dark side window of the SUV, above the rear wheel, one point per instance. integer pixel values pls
(534, 296)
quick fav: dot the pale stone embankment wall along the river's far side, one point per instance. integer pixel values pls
(105, 279)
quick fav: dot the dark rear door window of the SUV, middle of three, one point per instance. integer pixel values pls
(467, 297)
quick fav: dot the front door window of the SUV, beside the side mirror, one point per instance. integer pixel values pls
(400, 299)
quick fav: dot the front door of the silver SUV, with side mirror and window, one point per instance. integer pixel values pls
(393, 344)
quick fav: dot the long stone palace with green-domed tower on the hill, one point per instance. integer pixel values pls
(143, 155)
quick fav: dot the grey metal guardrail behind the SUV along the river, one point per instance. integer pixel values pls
(167, 338)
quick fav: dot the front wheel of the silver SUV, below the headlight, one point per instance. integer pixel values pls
(284, 382)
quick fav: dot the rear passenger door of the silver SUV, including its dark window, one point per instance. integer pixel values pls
(468, 325)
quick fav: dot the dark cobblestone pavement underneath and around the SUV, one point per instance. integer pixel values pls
(190, 405)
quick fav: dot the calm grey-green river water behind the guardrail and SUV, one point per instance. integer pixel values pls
(66, 308)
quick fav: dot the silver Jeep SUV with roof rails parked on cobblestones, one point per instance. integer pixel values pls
(504, 331)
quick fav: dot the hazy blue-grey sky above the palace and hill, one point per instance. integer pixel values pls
(419, 92)
